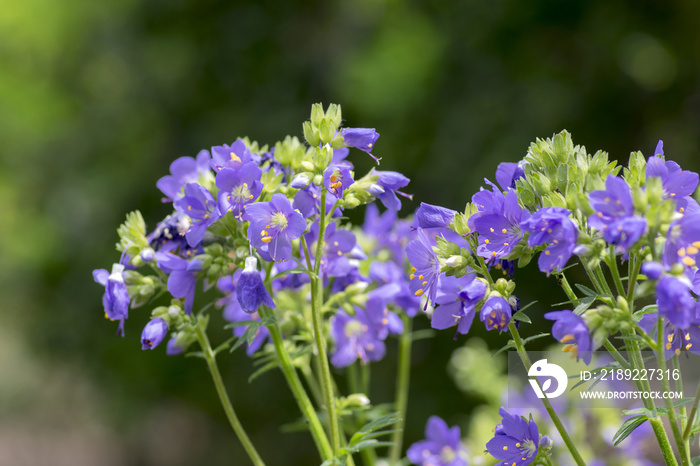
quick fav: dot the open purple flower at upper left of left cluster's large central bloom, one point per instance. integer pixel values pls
(238, 188)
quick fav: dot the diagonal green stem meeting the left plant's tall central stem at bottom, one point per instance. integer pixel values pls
(302, 399)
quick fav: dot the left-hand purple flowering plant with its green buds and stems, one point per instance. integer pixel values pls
(300, 288)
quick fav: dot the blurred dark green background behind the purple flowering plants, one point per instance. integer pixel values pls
(97, 98)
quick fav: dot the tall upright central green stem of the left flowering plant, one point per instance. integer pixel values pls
(316, 303)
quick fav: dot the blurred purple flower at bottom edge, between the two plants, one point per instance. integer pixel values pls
(442, 446)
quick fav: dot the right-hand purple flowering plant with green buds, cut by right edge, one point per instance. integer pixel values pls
(634, 233)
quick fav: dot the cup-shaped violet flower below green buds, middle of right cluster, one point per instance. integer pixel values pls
(552, 225)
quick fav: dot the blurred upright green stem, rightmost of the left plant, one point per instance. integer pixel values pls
(402, 384)
